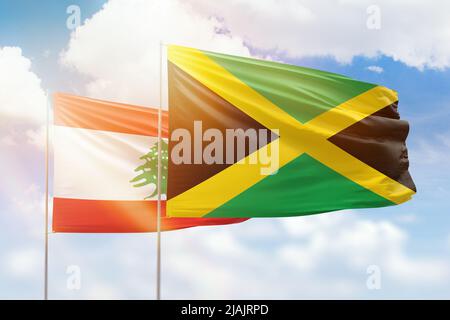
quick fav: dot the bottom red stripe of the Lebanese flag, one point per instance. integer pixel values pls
(109, 216)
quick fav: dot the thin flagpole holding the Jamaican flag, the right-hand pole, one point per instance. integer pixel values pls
(158, 222)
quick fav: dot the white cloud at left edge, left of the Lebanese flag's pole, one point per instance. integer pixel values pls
(23, 105)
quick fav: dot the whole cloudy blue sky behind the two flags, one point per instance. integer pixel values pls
(410, 242)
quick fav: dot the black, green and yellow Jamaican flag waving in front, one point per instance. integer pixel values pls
(329, 142)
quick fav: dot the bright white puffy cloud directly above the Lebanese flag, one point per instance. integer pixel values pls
(119, 47)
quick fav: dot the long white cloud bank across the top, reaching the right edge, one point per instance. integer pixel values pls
(118, 48)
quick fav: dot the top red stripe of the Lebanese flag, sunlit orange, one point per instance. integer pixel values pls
(86, 113)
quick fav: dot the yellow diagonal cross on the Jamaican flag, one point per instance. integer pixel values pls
(295, 138)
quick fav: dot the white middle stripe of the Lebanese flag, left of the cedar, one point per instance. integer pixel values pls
(98, 165)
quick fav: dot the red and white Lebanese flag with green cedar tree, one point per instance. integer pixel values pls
(103, 174)
